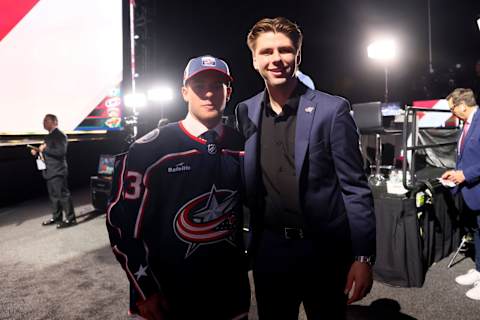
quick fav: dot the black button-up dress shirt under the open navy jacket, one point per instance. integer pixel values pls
(277, 161)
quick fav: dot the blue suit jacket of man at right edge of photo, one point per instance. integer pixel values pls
(469, 162)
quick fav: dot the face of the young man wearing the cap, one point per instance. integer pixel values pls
(206, 95)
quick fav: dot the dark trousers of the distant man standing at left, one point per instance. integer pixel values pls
(60, 198)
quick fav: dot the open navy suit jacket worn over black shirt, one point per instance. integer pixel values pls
(335, 197)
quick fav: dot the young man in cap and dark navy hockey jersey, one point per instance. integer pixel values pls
(175, 220)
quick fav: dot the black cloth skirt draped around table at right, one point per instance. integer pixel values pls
(411, 239)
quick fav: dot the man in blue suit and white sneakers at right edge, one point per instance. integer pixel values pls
(467, 174)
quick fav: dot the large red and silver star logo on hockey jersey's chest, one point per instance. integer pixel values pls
(206, 219)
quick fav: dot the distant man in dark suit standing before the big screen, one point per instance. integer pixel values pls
(54, 151)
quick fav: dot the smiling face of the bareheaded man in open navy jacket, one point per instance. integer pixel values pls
(276, 59)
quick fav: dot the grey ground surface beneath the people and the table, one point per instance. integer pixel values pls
(71, 274)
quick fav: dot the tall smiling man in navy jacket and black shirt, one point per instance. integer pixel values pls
(311, 206)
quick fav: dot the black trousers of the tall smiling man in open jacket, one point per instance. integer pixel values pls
(288, 272)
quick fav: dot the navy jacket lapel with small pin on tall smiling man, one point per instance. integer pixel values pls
(305, 114)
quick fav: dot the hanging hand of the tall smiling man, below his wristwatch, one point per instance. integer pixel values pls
(359, 281)
